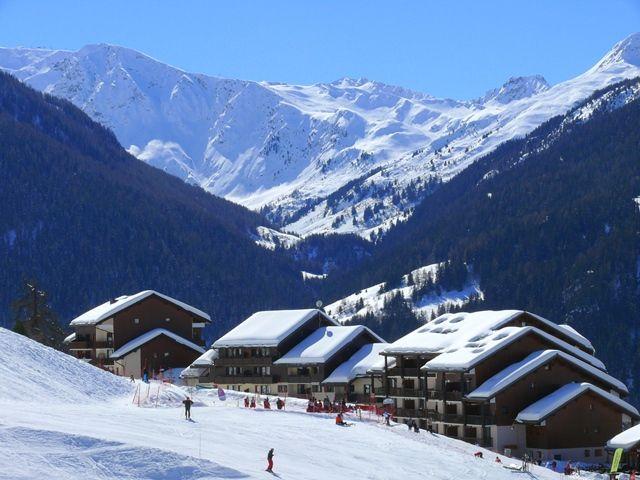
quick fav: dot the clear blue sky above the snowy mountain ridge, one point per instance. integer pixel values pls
(446, 48)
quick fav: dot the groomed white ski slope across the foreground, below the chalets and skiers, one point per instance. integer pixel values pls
(106, 436)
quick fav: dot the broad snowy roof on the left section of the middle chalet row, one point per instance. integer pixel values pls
(268, 328)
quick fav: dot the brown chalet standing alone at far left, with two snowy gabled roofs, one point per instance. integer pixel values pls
(132, 333)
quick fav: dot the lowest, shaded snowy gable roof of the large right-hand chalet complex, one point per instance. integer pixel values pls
(546, 406)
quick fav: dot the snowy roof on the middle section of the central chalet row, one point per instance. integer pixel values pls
(323, 344)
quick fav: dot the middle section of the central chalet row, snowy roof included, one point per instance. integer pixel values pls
(311, 361)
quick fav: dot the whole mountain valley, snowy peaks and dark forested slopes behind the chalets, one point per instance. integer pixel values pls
(389, 205)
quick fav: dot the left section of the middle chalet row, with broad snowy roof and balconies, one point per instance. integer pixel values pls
(248, 352)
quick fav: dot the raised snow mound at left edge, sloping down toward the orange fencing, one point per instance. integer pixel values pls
(30, 372)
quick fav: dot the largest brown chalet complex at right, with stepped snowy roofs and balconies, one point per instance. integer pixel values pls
(470, 375)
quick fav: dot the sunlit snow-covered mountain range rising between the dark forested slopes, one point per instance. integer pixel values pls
(348, 156)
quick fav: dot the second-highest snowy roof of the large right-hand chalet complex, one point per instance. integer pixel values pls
(465, 355)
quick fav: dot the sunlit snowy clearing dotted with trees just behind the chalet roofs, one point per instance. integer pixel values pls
(424, 303)
